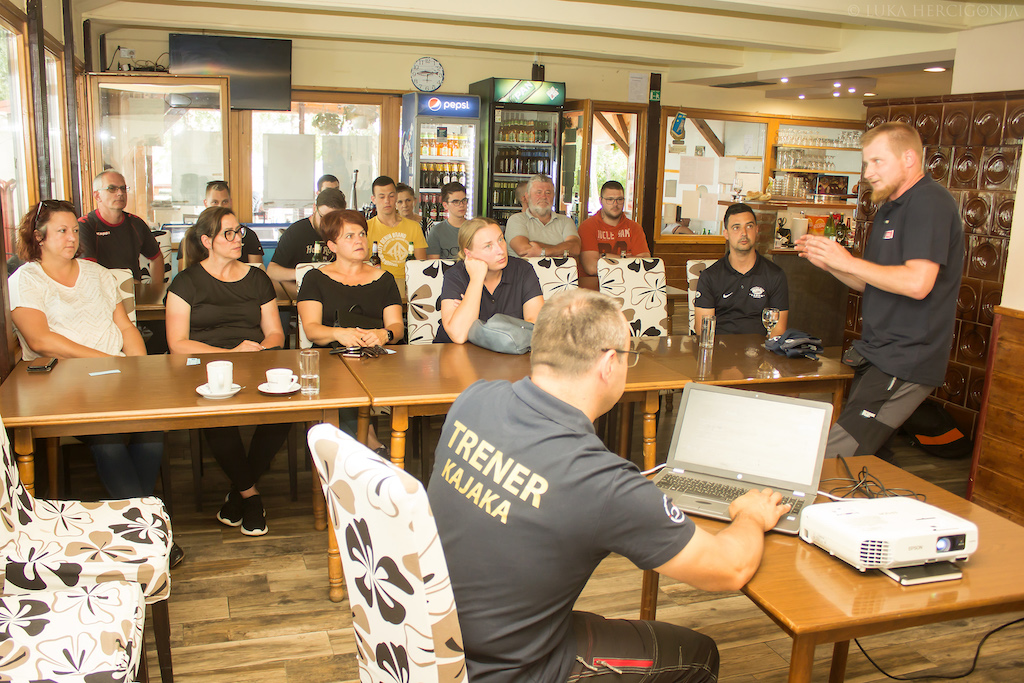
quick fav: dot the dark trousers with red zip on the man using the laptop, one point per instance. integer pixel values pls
(627, 652)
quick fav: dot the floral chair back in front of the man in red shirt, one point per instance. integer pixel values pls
(639, 286)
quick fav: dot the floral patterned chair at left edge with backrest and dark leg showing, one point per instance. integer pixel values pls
(49, 545)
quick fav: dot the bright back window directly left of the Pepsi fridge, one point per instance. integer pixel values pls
(292, 150)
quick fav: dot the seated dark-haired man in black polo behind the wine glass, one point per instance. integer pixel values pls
(741, 285)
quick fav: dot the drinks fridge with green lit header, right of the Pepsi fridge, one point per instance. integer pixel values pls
(521, 134)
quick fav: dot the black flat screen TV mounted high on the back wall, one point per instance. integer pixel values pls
(260, 69)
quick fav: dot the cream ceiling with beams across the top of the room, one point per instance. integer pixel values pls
(708, 42)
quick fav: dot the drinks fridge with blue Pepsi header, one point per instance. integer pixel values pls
(439, 145)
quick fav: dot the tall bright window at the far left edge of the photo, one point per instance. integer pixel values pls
(14, 182)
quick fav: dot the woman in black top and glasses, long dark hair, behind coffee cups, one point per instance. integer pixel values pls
(222, 305)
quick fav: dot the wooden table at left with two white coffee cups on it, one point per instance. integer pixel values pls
(158, 393)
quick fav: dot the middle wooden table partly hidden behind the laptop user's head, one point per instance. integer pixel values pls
(425, 379)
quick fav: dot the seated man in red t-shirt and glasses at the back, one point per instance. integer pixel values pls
(610, 232)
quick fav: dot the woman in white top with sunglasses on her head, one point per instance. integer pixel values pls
(67, 308)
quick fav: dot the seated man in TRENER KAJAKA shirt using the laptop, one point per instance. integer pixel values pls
(529, 502)
